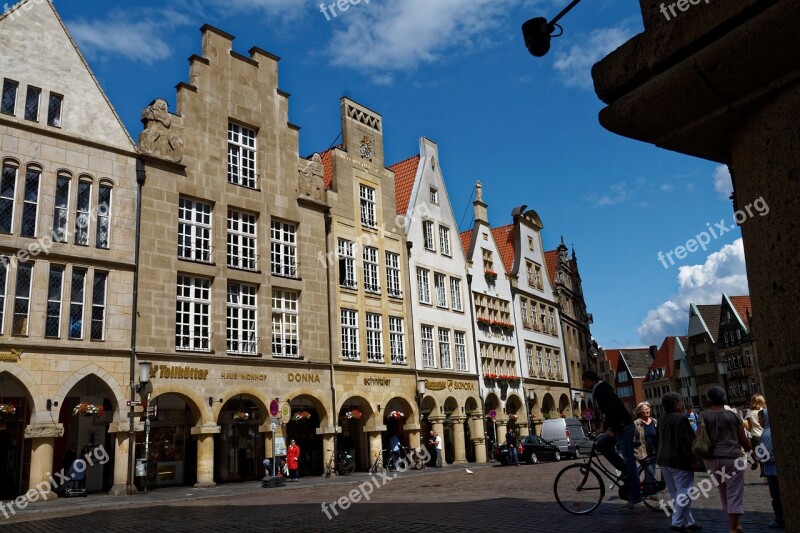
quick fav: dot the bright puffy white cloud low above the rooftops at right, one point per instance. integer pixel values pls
(723, 271)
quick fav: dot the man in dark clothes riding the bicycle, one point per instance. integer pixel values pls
(618, 428)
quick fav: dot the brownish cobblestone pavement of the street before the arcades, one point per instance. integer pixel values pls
(494, 498)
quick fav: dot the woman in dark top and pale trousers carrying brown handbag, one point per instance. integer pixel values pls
(725, 432)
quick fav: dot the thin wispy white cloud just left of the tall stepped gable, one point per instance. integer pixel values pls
(136, 36)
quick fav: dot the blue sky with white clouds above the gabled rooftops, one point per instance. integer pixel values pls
(457, 71)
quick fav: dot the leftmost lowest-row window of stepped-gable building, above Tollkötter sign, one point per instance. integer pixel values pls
(192, 315)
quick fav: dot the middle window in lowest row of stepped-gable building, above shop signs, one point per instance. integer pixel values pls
(241, 319)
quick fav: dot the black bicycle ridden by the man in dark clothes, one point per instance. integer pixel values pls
(579, 488)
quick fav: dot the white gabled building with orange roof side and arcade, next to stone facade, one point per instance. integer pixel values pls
(444, 347)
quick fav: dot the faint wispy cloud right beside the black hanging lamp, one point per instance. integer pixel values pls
(575, 65)
